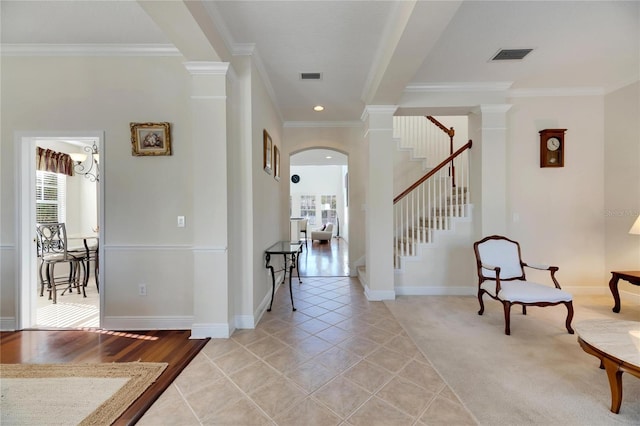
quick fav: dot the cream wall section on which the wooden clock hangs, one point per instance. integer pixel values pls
(557, 213)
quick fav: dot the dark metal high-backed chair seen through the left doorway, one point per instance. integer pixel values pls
(52, 242)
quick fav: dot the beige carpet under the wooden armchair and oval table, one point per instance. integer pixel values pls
(538, 375)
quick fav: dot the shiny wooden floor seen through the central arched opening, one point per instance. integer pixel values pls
(326, 259)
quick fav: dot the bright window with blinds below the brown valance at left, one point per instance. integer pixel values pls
(50, 197)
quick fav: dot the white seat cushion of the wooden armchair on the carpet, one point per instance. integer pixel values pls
(526, 292)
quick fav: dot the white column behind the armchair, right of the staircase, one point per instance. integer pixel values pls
(488, 130)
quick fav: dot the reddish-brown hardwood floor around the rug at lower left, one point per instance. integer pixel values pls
(95, 346)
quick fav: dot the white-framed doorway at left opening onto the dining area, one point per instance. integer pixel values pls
(75, 200)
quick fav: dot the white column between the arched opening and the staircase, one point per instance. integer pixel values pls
(379, 201)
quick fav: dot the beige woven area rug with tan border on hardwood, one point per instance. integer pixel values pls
(72, 394)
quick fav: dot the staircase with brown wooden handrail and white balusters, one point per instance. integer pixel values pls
(432, 216)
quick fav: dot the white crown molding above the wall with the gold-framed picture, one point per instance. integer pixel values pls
(89, 50)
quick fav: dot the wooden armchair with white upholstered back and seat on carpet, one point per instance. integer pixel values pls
(501, 275)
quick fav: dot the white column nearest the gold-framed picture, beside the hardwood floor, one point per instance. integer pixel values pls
(209, 222)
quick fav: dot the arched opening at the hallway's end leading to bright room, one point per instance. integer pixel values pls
(319, 193)
